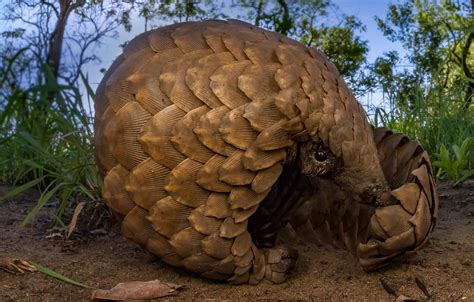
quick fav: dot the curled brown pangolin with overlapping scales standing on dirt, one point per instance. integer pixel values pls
(213, 136)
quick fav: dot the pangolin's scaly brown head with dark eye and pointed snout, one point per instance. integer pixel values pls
(339, 146)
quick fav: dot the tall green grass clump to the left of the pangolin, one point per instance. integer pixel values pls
(46, 143)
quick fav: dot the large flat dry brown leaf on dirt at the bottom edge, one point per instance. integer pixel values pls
(136, 290)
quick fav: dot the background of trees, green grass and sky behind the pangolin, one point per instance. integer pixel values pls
(46, 119)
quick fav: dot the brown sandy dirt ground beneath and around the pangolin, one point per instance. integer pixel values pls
(104, 258)
